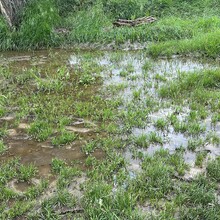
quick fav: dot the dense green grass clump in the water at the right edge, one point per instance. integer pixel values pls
(202, 87)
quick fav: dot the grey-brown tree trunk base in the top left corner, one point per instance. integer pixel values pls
(10, 9)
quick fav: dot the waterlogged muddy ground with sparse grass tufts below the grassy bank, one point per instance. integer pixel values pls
(108, 135)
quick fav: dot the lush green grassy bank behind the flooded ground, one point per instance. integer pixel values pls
(182, 27)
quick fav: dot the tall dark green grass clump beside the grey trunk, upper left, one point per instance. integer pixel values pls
(35, 30)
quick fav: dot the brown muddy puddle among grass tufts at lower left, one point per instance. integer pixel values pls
(20, 144)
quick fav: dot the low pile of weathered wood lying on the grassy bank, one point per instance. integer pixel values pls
(136, 22)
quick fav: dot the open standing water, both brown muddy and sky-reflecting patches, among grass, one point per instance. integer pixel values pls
(30, 151)
